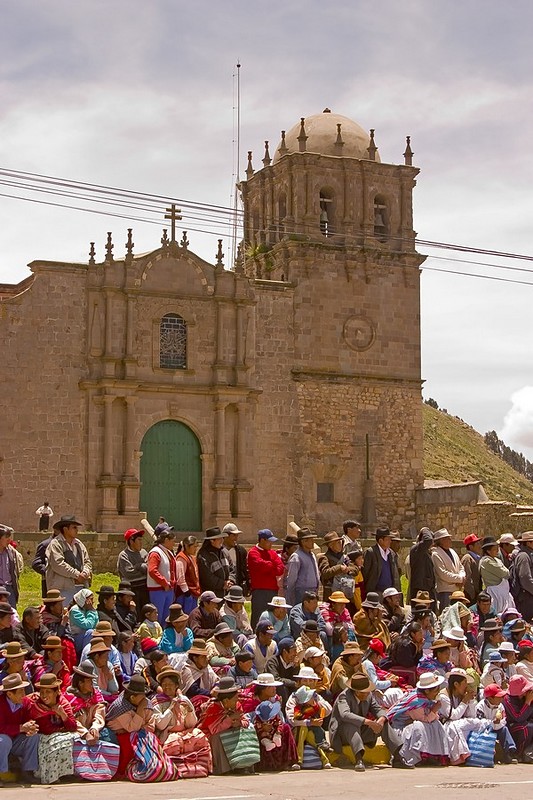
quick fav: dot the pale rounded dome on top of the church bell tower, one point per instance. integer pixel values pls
(321, 131)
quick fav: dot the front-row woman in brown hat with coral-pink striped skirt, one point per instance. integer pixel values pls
(175, 726)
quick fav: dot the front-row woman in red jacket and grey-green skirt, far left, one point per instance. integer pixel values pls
(57, 725)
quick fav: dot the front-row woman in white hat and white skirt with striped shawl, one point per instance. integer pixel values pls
(416, 716)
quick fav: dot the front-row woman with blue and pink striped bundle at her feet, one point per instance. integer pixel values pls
(95, 756)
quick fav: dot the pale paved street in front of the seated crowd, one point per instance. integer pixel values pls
(501, 783)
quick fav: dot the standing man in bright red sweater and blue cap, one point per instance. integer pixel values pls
(264, 568)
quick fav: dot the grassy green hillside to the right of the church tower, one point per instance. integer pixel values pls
(454, 451)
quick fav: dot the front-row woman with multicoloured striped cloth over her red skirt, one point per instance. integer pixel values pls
(131, 717)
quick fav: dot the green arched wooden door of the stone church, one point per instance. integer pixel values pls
(171, 476)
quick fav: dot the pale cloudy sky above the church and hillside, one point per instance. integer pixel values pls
(140, 95)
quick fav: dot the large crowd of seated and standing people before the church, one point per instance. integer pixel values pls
(168, 676)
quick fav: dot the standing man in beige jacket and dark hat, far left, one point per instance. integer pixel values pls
(68, 566)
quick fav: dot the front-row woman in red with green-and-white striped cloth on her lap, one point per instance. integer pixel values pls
(222, 718)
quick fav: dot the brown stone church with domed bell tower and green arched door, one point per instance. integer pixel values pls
(288, 384)
